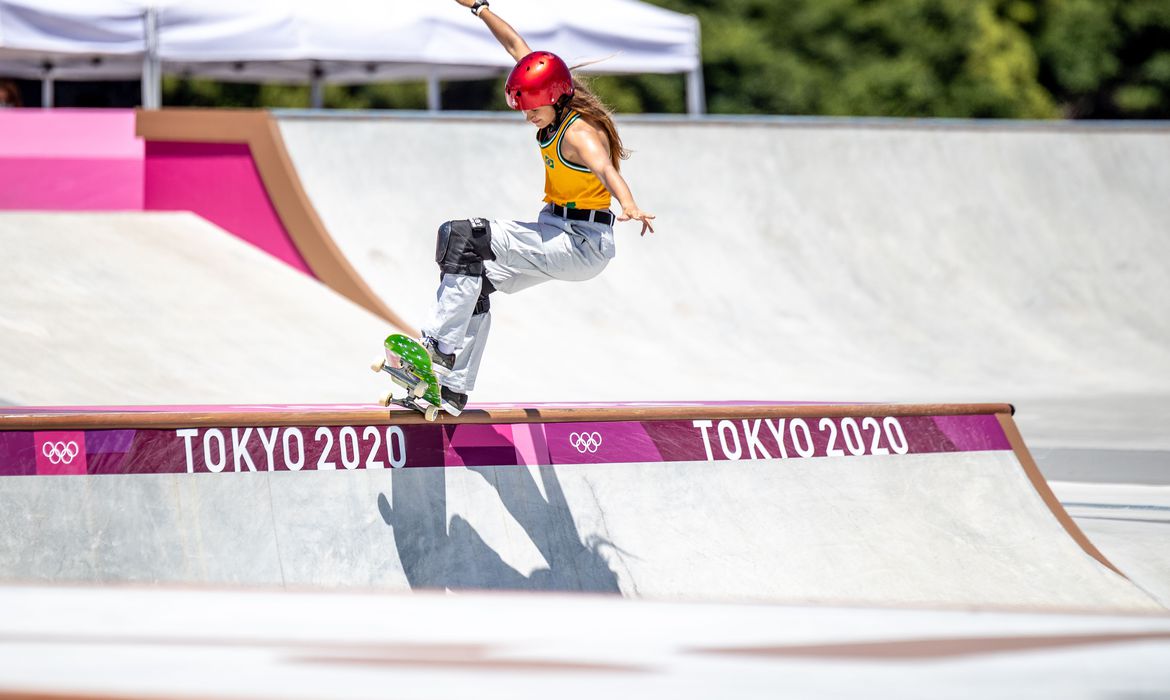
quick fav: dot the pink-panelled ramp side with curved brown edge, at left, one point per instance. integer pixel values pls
(228, 167)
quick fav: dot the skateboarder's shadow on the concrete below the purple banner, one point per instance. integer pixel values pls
(436, 555)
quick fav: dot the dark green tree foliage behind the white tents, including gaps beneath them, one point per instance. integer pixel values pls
(982, 59)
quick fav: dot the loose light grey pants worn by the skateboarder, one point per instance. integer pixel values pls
(527, 255)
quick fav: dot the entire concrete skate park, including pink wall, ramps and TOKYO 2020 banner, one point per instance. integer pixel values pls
(811, 469)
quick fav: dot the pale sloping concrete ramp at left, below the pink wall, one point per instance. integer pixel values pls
(168, 308)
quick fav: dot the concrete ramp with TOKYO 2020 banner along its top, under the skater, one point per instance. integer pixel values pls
(876, 505)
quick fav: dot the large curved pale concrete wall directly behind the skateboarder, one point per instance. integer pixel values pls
(912, 262)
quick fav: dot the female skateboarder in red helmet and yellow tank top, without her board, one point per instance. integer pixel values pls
(573, 238)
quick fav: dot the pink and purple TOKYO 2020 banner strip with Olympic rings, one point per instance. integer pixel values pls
(228, 449)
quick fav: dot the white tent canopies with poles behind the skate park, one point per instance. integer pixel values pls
(343, 42)
